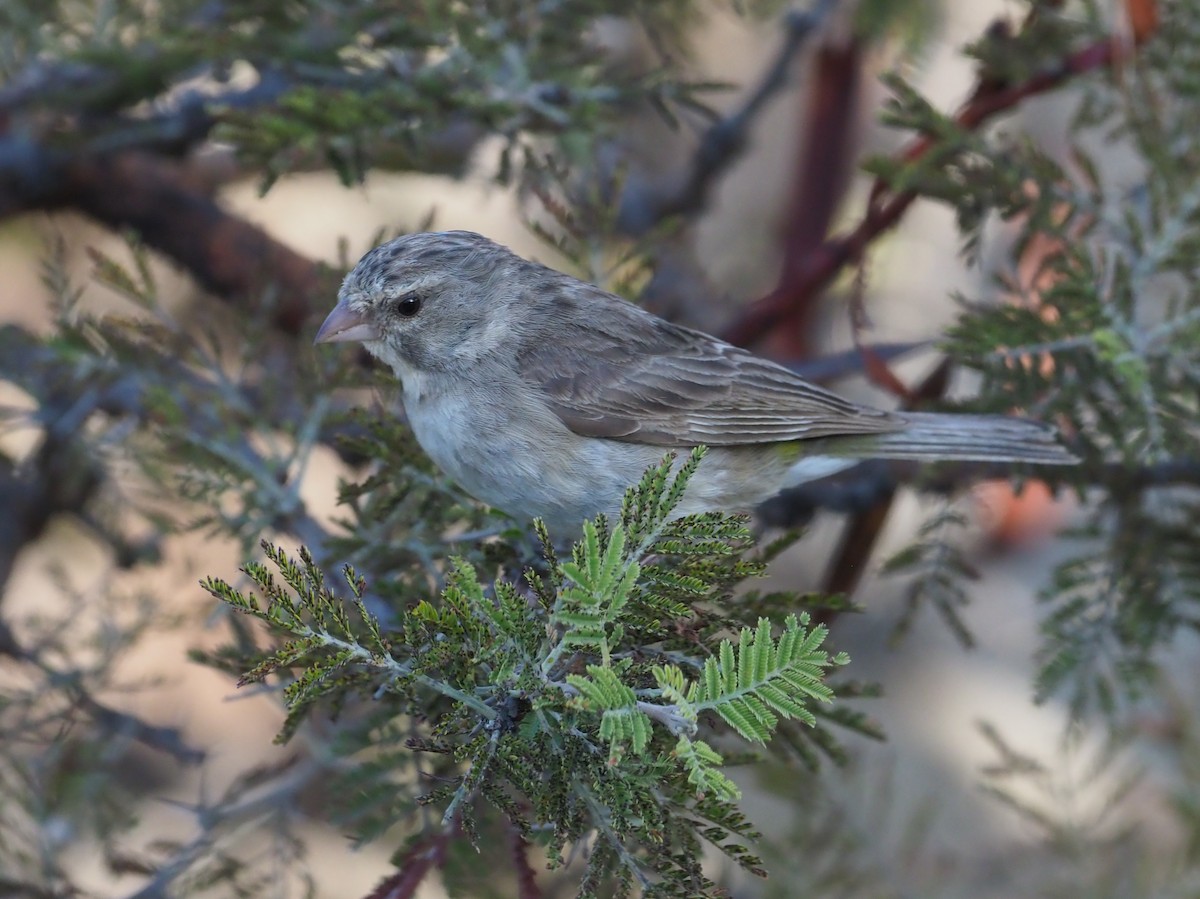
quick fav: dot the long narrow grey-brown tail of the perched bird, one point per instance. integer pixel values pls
(980, 439)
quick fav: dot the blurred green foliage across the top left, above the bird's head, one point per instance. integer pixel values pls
(350, 85)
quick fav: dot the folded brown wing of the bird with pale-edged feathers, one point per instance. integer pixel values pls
(632, 376)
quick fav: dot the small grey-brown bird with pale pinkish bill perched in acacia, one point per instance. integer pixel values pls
(547, 397)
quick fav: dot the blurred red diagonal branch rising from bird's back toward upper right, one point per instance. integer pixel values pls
(806, 277)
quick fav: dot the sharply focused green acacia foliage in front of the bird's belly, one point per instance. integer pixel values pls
(538, 703)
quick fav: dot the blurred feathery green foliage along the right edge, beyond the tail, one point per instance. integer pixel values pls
(1097, 332)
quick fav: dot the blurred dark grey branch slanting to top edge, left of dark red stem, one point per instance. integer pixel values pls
(724, 141)
